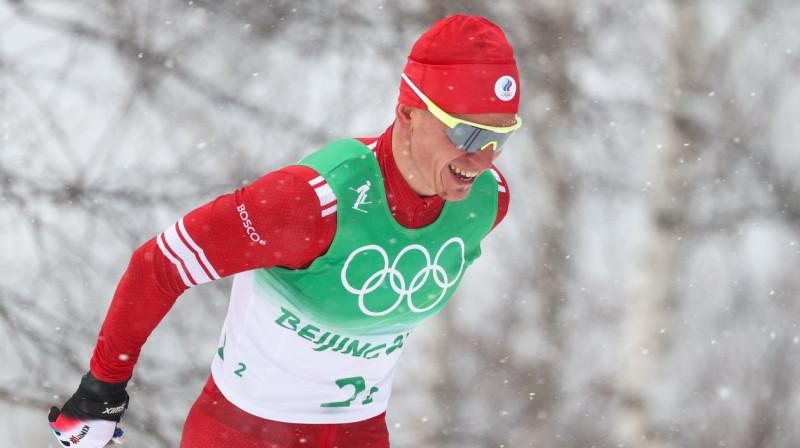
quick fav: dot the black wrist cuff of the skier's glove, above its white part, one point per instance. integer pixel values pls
(97, 399)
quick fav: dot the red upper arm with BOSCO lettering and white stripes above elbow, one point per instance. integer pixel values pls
(275, 221)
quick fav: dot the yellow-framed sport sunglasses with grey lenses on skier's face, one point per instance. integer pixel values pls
(466, 135)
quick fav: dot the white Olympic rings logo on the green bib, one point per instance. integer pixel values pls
(398, 281)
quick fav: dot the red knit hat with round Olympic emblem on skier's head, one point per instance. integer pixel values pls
(464, 64)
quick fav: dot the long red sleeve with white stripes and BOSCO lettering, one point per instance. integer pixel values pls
(279, 220)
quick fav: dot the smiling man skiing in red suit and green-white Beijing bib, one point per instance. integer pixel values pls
(337, 260)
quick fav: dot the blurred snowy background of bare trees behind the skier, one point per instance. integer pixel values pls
(642, 292)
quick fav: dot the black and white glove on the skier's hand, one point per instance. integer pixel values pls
(89, 418)
